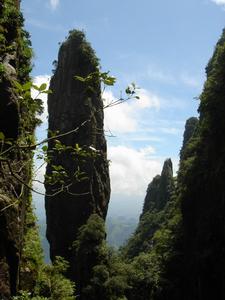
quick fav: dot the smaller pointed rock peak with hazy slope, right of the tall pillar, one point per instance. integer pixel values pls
(158, 195)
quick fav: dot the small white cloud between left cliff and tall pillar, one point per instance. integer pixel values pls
(38, 80)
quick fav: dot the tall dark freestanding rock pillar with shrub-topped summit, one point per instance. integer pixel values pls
(74, 105)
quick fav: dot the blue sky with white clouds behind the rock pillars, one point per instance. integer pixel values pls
(163, 46)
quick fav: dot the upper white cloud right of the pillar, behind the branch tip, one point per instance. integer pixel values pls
(125, 117)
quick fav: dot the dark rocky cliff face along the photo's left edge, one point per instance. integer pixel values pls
(17, 122)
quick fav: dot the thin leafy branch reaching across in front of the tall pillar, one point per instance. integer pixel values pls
(59, 177)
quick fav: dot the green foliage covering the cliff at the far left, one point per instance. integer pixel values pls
(20, 252)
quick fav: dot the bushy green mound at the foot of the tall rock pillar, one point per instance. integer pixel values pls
(101, 273)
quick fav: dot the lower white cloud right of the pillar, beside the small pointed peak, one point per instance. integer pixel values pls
(132, 170)
